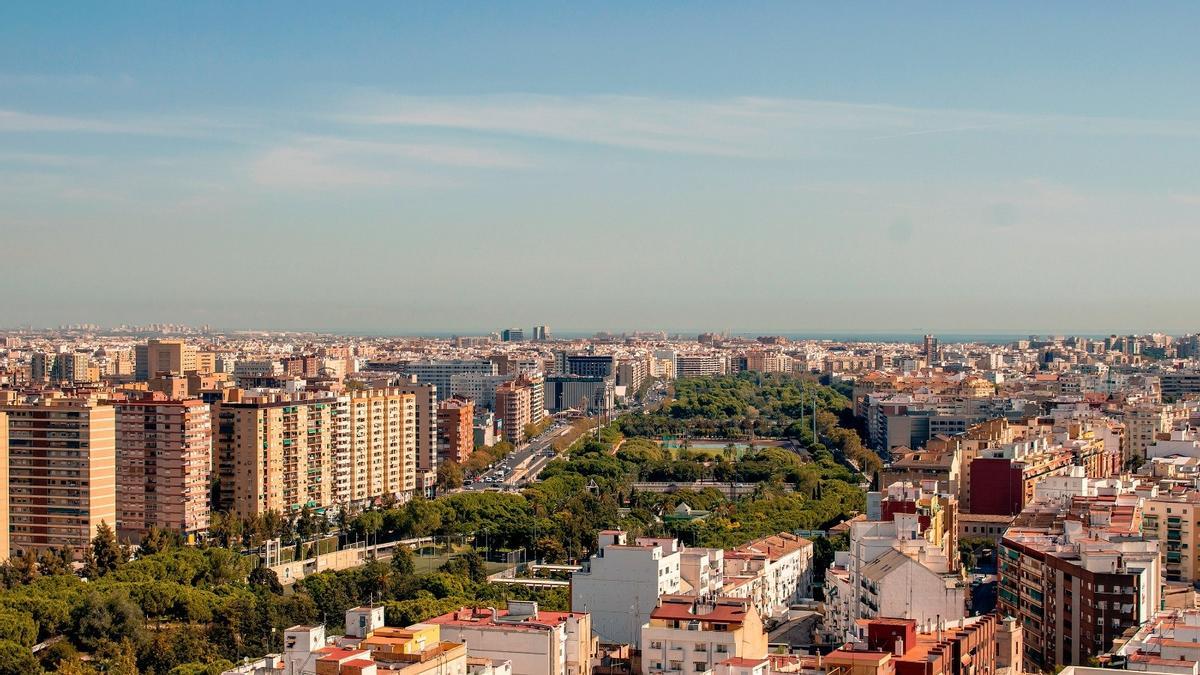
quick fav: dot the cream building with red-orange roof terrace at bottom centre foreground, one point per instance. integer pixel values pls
(689, 635)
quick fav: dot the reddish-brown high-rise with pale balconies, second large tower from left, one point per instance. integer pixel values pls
(165, 461)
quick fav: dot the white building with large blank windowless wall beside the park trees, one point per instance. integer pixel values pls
(621, 584)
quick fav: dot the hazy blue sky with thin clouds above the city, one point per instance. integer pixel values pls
(760, 166)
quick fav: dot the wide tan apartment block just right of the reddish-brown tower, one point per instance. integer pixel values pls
(278, 452)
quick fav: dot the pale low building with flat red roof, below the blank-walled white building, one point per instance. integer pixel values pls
(536, 642)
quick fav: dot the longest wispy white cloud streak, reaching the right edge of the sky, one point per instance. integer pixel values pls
(735, 128)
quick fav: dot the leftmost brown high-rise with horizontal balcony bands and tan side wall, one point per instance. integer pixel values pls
(62, 473)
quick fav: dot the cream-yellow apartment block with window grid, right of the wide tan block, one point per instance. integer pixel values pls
(382, 449)
